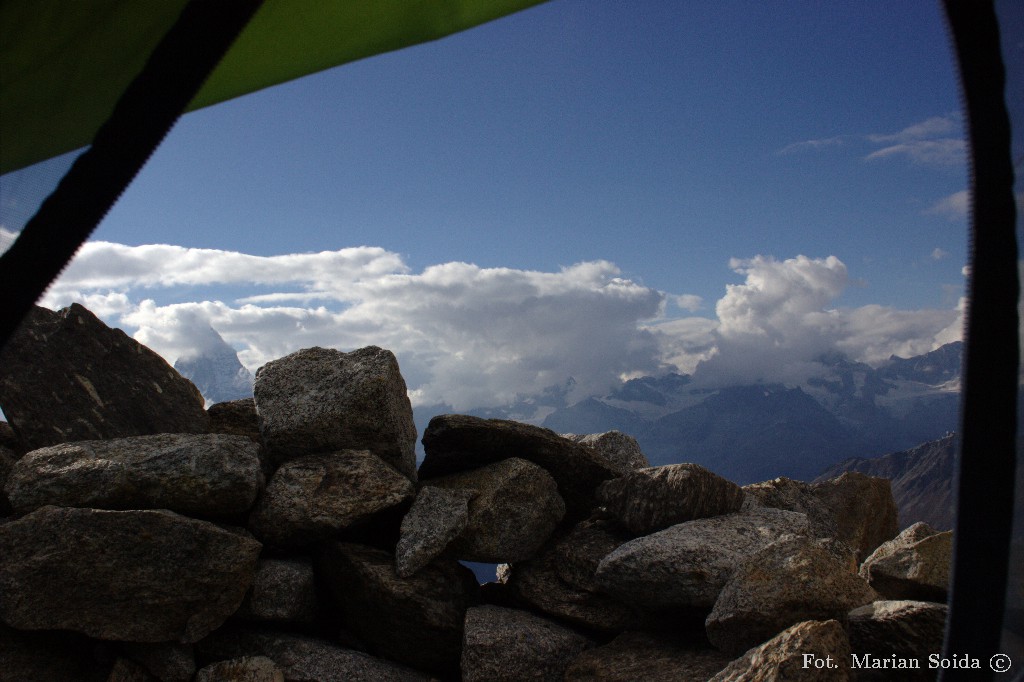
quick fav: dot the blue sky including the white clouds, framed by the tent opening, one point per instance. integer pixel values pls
(593, 190)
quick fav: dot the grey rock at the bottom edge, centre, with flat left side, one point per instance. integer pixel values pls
(505, 645)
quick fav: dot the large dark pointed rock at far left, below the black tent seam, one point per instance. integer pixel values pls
(67, 376)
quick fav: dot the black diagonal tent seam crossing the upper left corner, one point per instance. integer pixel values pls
(143, 117)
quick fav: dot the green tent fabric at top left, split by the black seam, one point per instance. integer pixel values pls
(64, 65)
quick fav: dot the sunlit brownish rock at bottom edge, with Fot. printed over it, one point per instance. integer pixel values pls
(782, 658)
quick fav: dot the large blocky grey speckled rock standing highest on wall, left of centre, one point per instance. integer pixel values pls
(320, 400)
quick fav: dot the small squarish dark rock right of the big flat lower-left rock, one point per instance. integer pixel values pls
(283, 590)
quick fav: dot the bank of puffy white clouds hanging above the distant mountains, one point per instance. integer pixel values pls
(471, 337)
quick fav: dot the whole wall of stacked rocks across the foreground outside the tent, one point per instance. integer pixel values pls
(292, 537)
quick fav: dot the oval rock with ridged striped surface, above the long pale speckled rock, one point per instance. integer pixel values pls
(653, 499)
